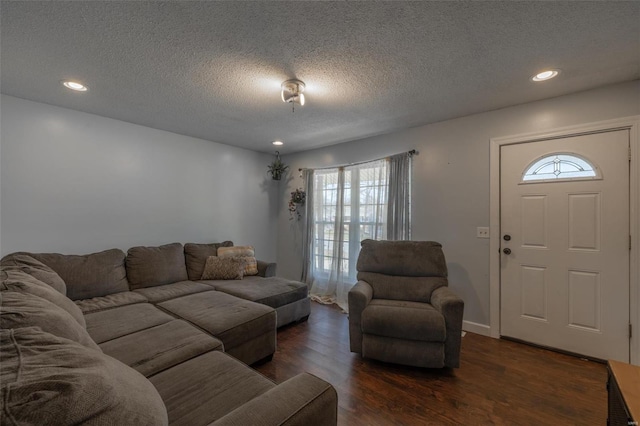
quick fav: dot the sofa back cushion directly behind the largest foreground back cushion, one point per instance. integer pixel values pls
(19, 310)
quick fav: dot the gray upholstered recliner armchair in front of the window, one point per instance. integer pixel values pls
(401, 310)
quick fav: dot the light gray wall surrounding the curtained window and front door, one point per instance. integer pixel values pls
(451, 179)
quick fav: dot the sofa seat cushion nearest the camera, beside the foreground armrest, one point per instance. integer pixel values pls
(205, 388)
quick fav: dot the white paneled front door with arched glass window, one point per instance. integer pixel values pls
(565, 243)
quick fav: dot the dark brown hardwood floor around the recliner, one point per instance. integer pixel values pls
(498, 382)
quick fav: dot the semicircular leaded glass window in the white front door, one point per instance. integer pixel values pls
(560, 167)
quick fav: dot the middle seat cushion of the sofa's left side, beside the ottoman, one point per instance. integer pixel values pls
(163, 346)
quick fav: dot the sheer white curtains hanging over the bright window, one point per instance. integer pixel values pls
(347, 205)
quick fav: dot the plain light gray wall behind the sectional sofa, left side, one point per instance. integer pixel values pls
(77, 183)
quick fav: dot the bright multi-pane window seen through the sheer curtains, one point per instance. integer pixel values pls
(350, 205)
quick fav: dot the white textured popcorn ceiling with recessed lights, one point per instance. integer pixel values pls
(213, 69)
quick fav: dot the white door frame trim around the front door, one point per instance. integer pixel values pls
(633, 125)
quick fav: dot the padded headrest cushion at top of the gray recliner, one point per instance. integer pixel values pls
(404, 258)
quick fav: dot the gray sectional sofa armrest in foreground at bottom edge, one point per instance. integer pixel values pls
(301, 400)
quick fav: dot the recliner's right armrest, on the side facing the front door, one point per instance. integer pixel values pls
(452, 308)
